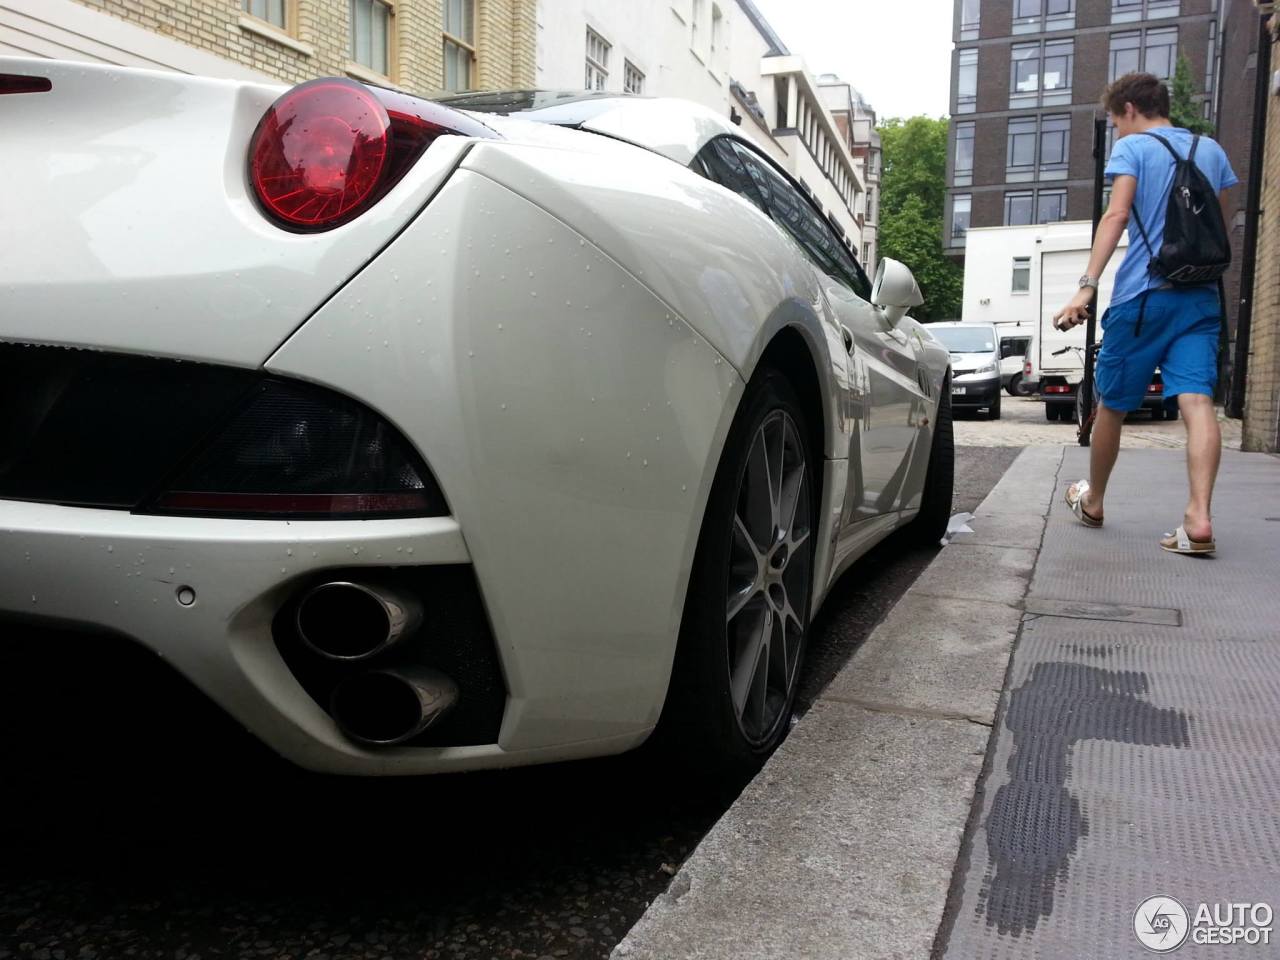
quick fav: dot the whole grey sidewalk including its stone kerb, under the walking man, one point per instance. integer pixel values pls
(1124, 702)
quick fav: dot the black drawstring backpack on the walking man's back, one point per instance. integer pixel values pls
(1195, 249)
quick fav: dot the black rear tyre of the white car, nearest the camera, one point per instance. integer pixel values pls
(701, 725)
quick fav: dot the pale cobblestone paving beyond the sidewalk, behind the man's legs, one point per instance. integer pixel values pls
(1022, 424)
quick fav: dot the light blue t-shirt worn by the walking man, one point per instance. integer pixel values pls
(1144, 158)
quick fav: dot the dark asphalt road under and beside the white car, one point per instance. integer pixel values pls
(139, 824)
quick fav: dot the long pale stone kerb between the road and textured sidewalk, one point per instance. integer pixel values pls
(845, 844)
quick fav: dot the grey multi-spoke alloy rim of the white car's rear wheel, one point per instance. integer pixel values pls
(770, 577)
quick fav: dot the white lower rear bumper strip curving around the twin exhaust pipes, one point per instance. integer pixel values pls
(122, 574)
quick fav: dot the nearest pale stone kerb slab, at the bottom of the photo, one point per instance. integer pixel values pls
(816, 860)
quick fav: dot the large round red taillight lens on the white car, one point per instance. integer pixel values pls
(319, 153)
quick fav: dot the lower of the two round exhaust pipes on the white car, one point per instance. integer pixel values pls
(388, 707)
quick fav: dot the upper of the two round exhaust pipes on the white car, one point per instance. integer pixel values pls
(346, 621)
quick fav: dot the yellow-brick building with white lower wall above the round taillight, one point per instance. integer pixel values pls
(420, 45)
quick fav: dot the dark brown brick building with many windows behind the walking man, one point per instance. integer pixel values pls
(1026, 81)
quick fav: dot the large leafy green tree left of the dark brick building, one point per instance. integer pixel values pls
(913, 211)
